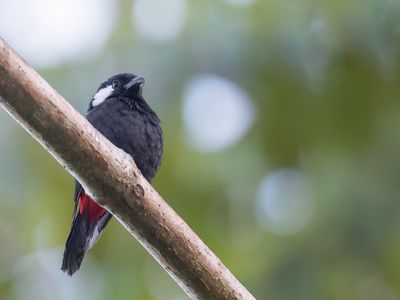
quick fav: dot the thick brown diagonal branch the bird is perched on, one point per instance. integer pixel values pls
(111, 177)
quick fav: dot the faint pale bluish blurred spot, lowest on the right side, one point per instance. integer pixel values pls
(284, 203)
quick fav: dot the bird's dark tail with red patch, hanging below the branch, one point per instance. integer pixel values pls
(84, 233)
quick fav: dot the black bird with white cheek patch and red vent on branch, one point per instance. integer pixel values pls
(118, 111)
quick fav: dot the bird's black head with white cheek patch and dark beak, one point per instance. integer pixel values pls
(121, 85)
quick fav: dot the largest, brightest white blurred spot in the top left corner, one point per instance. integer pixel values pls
(47, 33)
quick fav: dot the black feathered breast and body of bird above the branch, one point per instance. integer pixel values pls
(135, 130)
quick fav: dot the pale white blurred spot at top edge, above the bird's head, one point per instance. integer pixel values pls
(159, 20)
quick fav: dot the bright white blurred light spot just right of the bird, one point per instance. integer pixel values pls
(216, 113)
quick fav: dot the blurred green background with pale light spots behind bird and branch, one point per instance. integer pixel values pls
(282, 143)
